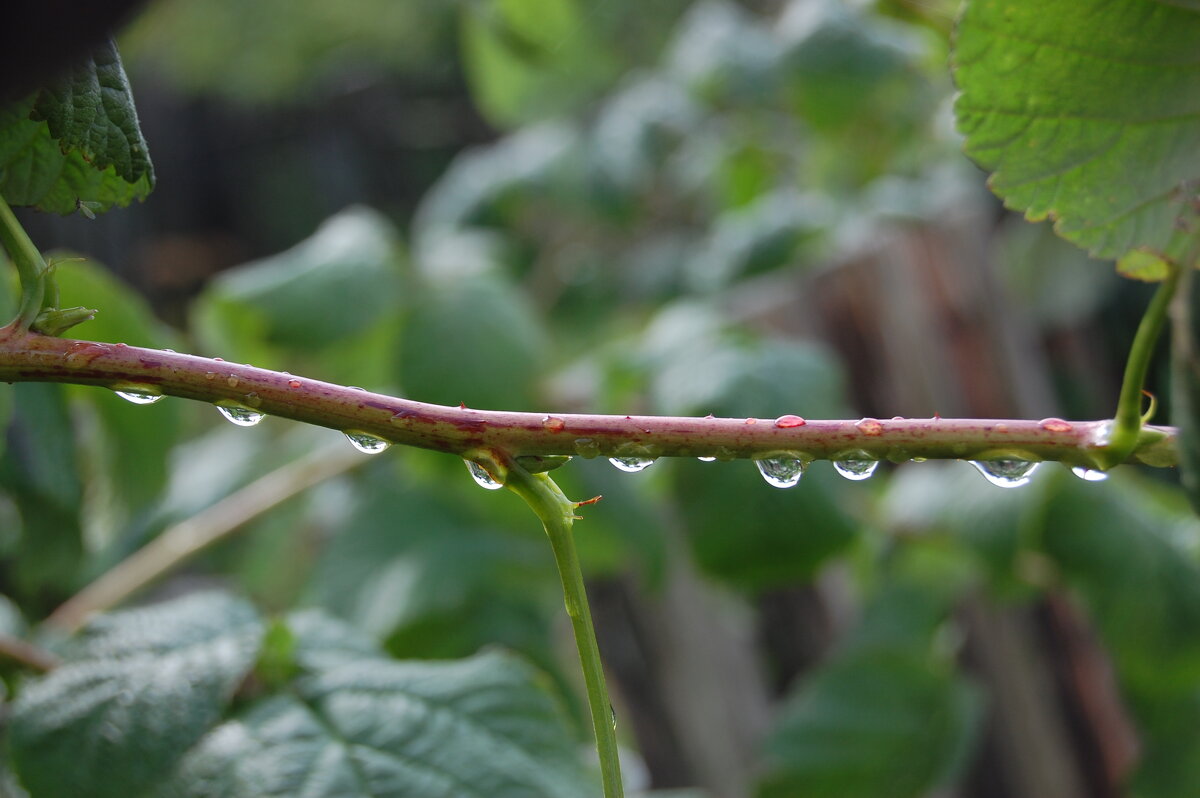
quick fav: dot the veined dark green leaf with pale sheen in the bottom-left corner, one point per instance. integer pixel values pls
(136, 693)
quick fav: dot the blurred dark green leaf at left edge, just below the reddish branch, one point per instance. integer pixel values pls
(41, 472)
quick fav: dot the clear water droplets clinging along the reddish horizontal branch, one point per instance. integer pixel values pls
(781, 472)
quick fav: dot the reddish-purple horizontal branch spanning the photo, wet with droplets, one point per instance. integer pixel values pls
(28, 357)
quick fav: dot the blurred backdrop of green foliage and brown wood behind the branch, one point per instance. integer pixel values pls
(668, 207)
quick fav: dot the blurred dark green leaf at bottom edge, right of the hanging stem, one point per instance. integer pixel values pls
(881, 719)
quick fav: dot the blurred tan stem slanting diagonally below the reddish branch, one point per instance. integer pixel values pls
(182, 542)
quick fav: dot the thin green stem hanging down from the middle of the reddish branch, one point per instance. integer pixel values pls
(557, 515)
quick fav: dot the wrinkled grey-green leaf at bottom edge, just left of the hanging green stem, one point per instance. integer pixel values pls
(484, 727)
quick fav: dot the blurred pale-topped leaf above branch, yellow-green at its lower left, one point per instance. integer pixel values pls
(333, 286)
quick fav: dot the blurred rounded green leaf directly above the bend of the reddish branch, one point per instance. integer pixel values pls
(477, 343)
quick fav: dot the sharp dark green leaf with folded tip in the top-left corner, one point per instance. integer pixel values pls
(76, 141)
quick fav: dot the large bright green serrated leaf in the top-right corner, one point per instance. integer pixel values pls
(1087, 113)
